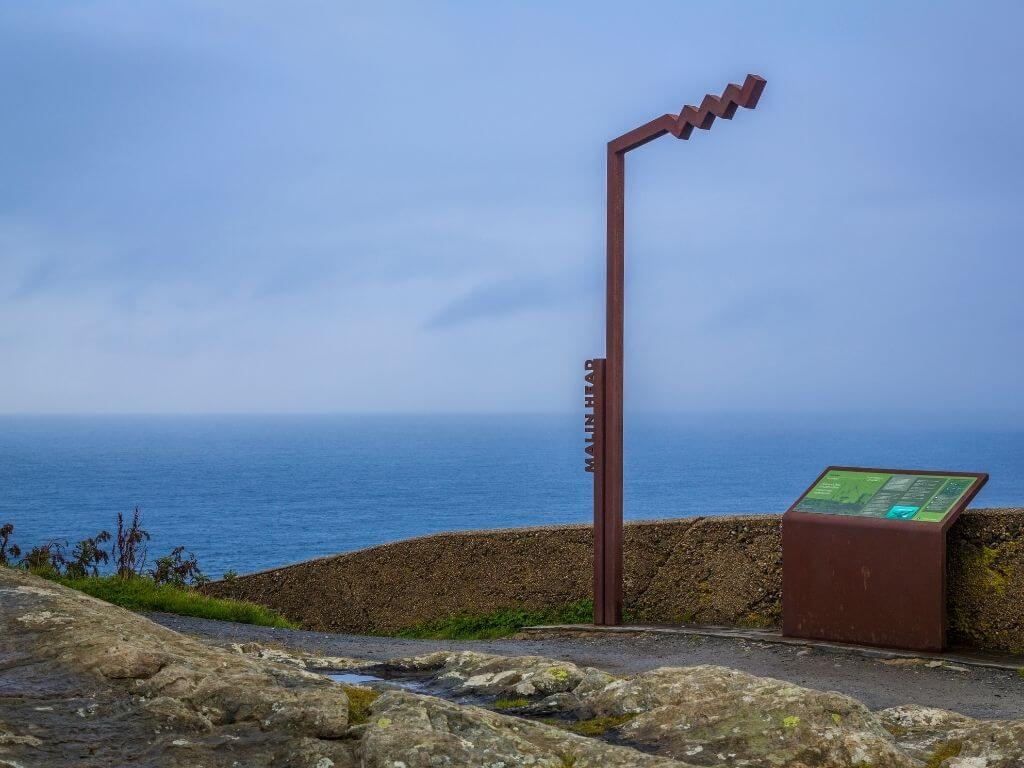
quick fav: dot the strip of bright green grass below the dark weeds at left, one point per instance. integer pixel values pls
(142, 594)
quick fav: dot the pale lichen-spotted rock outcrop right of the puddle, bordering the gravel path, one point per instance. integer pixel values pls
(713, 716)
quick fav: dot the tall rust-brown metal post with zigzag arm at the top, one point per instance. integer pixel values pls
(609, 492)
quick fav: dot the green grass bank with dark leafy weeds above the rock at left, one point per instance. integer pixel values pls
(120, 576)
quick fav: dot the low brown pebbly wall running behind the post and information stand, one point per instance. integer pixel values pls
(716, 571)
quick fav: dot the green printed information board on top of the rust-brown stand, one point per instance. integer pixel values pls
(893, 496)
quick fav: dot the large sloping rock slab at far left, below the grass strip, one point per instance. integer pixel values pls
(137, 694)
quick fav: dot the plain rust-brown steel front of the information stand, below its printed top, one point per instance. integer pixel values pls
(865, 581)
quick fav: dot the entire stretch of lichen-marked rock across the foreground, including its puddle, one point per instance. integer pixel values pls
(84, 684)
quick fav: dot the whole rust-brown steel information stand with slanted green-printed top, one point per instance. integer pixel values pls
(875, 577)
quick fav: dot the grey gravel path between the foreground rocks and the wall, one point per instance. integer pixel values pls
(979, 693)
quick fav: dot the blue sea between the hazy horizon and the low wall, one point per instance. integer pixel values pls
(247, 493)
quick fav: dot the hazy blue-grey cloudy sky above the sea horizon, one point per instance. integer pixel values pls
(329, 207)
